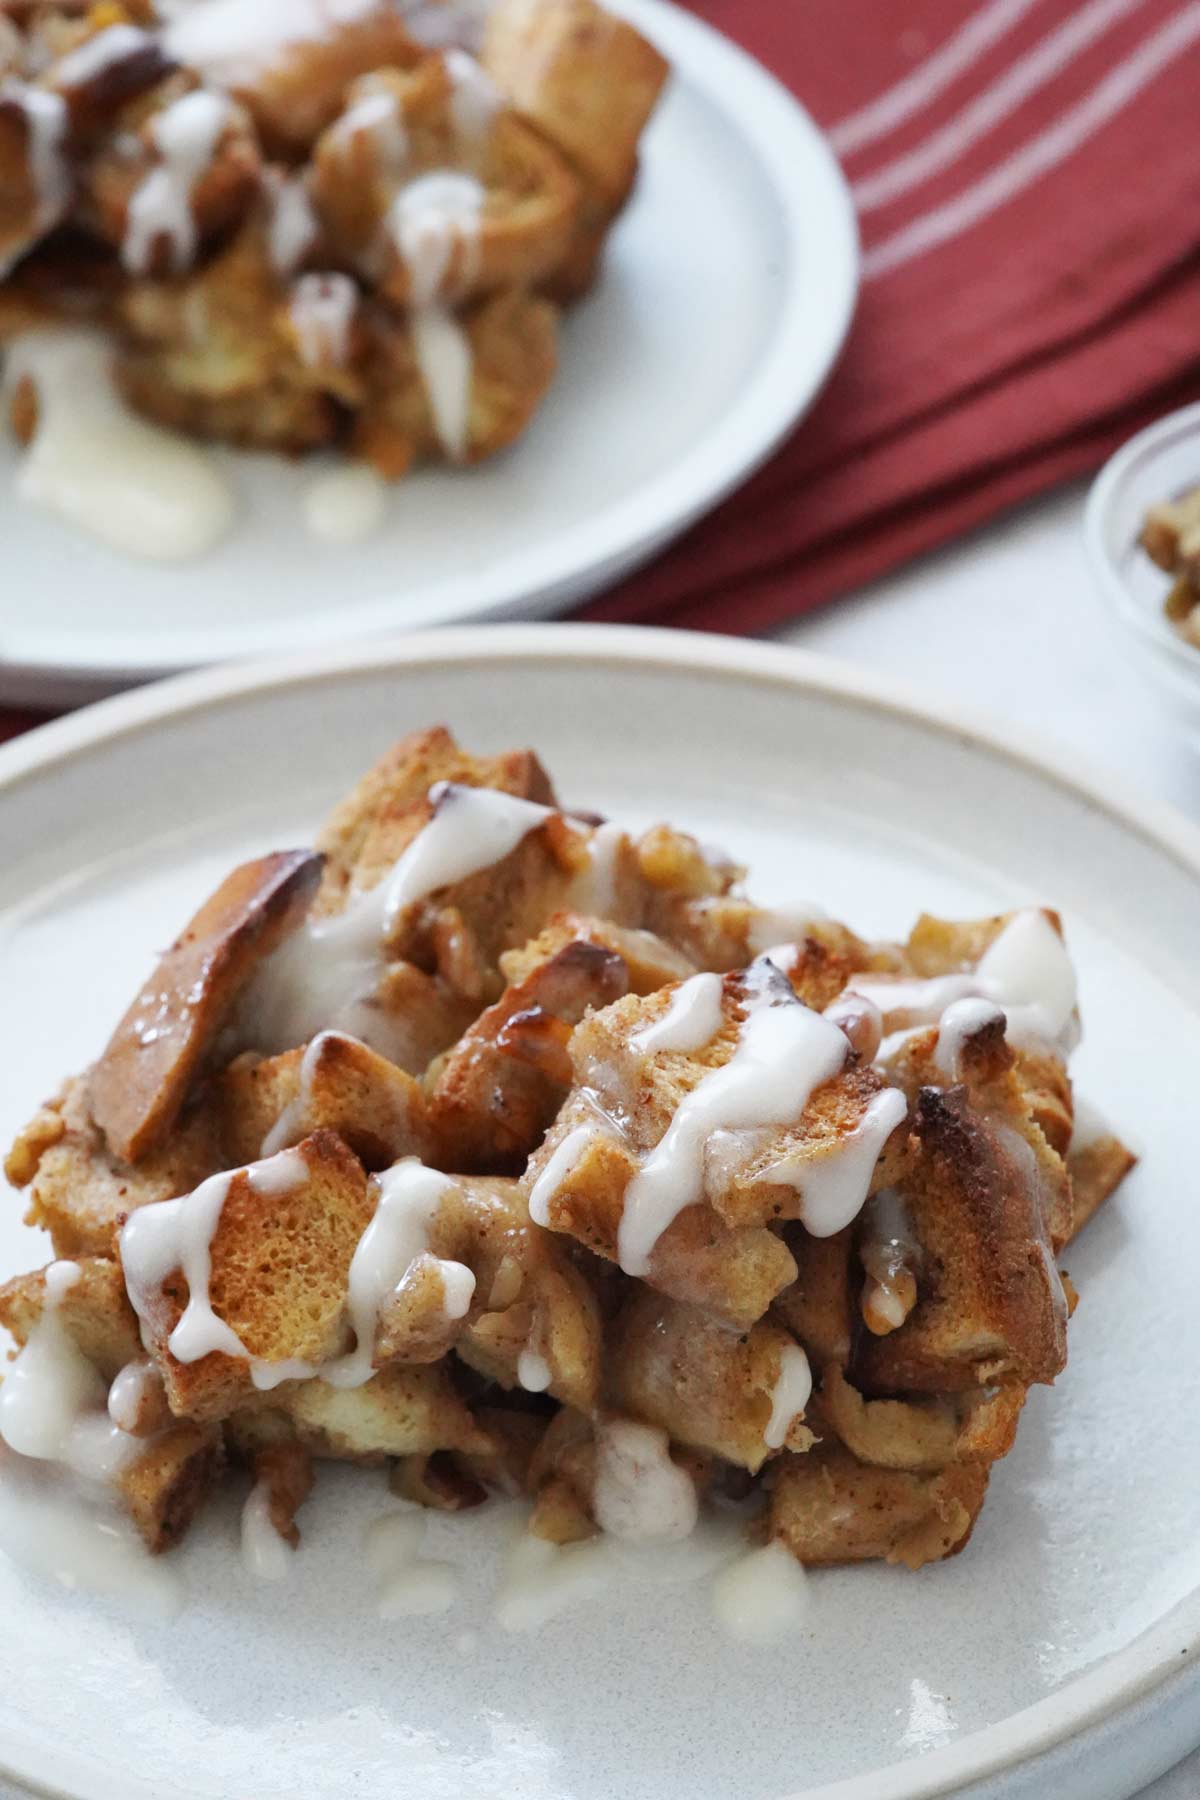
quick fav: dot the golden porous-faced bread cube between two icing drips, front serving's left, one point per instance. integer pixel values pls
(280, 1266)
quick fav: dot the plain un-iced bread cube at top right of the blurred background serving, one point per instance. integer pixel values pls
(586, 78)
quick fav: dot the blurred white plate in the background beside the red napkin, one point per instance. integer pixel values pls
(722, 307)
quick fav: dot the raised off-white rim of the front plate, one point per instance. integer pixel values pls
(1163, 1657)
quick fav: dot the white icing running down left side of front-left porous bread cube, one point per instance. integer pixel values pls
(170, 1236)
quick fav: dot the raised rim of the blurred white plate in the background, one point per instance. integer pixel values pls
(796, 361)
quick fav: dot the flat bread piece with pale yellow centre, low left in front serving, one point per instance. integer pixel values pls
(400, 1412)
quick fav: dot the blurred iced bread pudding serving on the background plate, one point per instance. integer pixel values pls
(301, 224)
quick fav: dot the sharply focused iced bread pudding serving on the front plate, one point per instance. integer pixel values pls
(523, 1156)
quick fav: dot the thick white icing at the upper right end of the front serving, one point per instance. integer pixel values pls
(1026, 971)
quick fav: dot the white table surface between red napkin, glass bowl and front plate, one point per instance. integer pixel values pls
(1008, 620)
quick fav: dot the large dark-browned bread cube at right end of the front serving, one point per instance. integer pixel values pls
(990, 1297)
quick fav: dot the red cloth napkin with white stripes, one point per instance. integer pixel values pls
(1028, 188)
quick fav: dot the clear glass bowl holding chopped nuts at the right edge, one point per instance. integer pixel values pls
(1158, 465)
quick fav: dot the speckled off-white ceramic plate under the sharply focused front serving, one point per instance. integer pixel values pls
(1050, 1660)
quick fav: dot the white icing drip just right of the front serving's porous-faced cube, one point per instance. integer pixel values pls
(397, 1236)
